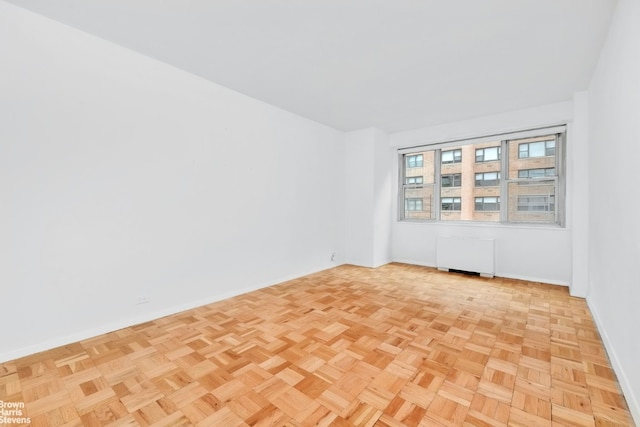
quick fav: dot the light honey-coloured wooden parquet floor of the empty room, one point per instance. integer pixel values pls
(395, 346)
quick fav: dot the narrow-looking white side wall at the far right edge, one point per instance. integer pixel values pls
(614, 229)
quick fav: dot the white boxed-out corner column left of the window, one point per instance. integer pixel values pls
(368, 198)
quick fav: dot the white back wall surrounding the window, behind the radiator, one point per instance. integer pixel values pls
(547, 254)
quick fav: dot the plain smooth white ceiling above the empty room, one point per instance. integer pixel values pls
(351, 64)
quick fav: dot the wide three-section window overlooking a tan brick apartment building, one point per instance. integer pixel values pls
(516, 178)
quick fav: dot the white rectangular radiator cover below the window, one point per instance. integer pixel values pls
(465, 254)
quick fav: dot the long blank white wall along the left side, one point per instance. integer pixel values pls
(123, 177)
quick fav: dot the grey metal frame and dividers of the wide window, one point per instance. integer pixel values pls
(559, 133)
